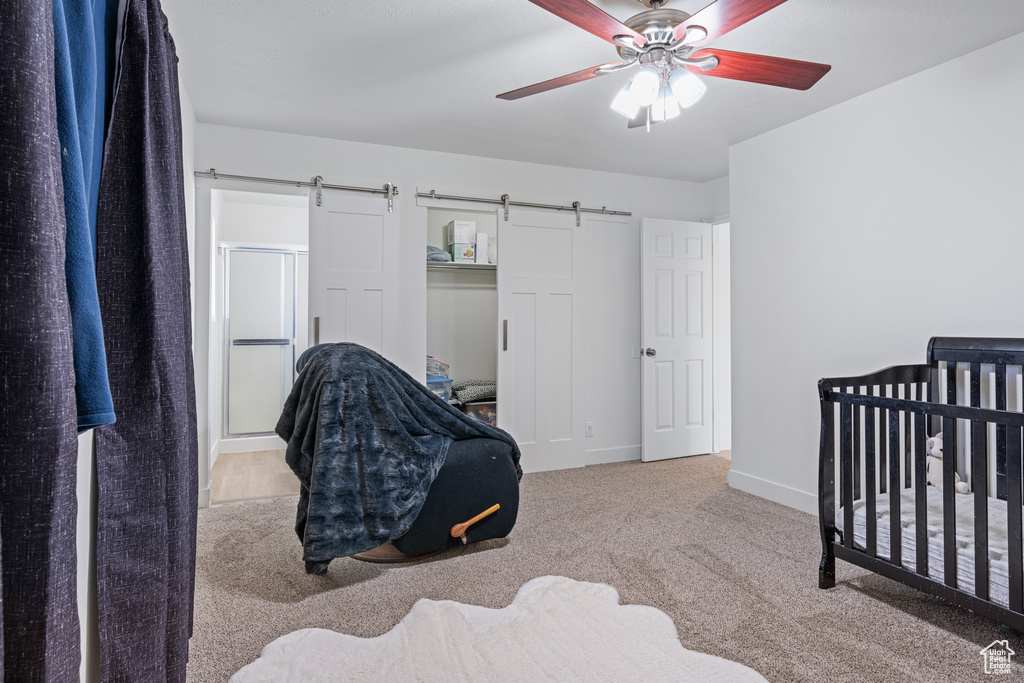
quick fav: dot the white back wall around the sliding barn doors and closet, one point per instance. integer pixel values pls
(614, 263)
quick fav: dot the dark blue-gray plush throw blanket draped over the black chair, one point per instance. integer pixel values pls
(366, 441)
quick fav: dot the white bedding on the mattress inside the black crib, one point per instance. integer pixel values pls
(998, 545)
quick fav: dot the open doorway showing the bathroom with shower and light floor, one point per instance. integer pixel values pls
(260, 330)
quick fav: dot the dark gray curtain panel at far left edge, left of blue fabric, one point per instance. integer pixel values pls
(38, 449)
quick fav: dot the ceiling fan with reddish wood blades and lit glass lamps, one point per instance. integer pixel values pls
(668, 47)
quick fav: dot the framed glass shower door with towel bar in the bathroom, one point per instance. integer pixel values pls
(261, 312)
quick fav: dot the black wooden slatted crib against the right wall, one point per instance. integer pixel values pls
(965, 548)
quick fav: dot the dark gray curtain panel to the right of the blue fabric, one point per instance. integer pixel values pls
(147, 461)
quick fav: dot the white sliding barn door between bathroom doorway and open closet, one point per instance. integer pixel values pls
(354, 272)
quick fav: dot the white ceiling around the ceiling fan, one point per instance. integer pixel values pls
(424, 74)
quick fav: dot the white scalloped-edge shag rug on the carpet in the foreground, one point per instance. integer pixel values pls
(557, 629)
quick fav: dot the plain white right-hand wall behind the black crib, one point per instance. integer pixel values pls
(859, 234)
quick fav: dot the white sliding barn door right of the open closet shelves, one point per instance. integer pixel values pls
(541, 351)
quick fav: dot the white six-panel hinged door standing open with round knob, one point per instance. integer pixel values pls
(676, 323)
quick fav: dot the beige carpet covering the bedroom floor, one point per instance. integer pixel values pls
(737, 575)
